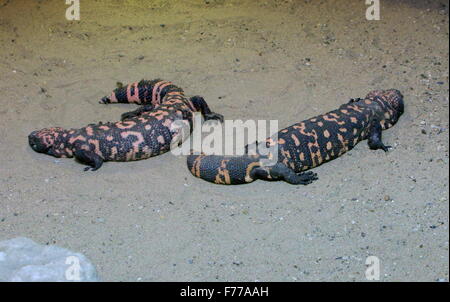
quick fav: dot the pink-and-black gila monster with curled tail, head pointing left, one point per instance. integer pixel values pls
(140, 134)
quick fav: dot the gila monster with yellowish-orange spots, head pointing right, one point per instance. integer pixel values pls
(308, 144)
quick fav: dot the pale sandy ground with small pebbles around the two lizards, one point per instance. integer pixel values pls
(288, 60)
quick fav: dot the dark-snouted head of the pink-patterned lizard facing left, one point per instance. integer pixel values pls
(46, 140)
